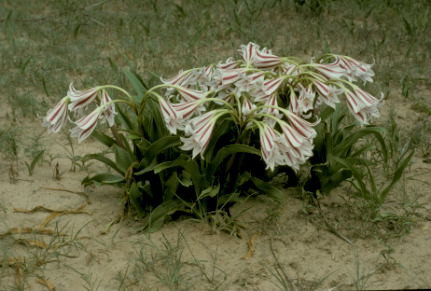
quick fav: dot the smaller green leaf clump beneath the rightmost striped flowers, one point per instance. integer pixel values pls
(337, 142)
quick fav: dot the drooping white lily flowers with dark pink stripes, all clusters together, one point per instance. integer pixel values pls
(278, 97)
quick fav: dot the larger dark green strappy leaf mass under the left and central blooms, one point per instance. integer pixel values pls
(161, 181)
